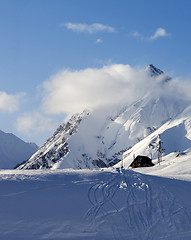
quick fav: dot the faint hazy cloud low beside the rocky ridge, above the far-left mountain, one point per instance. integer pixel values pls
(32, 123)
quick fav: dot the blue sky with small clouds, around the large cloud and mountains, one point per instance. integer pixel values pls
(40, 38)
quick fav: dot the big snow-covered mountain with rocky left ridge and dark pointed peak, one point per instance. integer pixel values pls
(99, 138)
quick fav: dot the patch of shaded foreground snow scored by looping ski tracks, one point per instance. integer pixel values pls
(144, 212)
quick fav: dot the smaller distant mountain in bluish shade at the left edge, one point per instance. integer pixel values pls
(14, 151)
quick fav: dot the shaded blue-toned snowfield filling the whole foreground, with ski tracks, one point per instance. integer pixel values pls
(93, 204)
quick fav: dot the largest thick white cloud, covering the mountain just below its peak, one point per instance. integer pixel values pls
(73, 91)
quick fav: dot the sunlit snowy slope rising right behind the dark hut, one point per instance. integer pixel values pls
(175, 137)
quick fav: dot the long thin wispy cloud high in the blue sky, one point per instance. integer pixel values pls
(91, 29)
